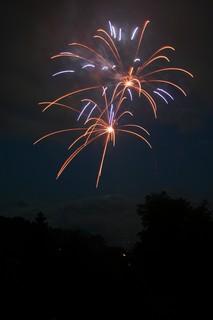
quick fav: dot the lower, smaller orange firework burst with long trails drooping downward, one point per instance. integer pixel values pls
(105, 124)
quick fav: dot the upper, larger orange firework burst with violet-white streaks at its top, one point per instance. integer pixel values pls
(119, 72)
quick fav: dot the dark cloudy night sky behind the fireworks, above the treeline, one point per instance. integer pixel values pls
(180, 161)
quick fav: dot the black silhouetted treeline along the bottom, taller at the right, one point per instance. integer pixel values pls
(49, 273)
